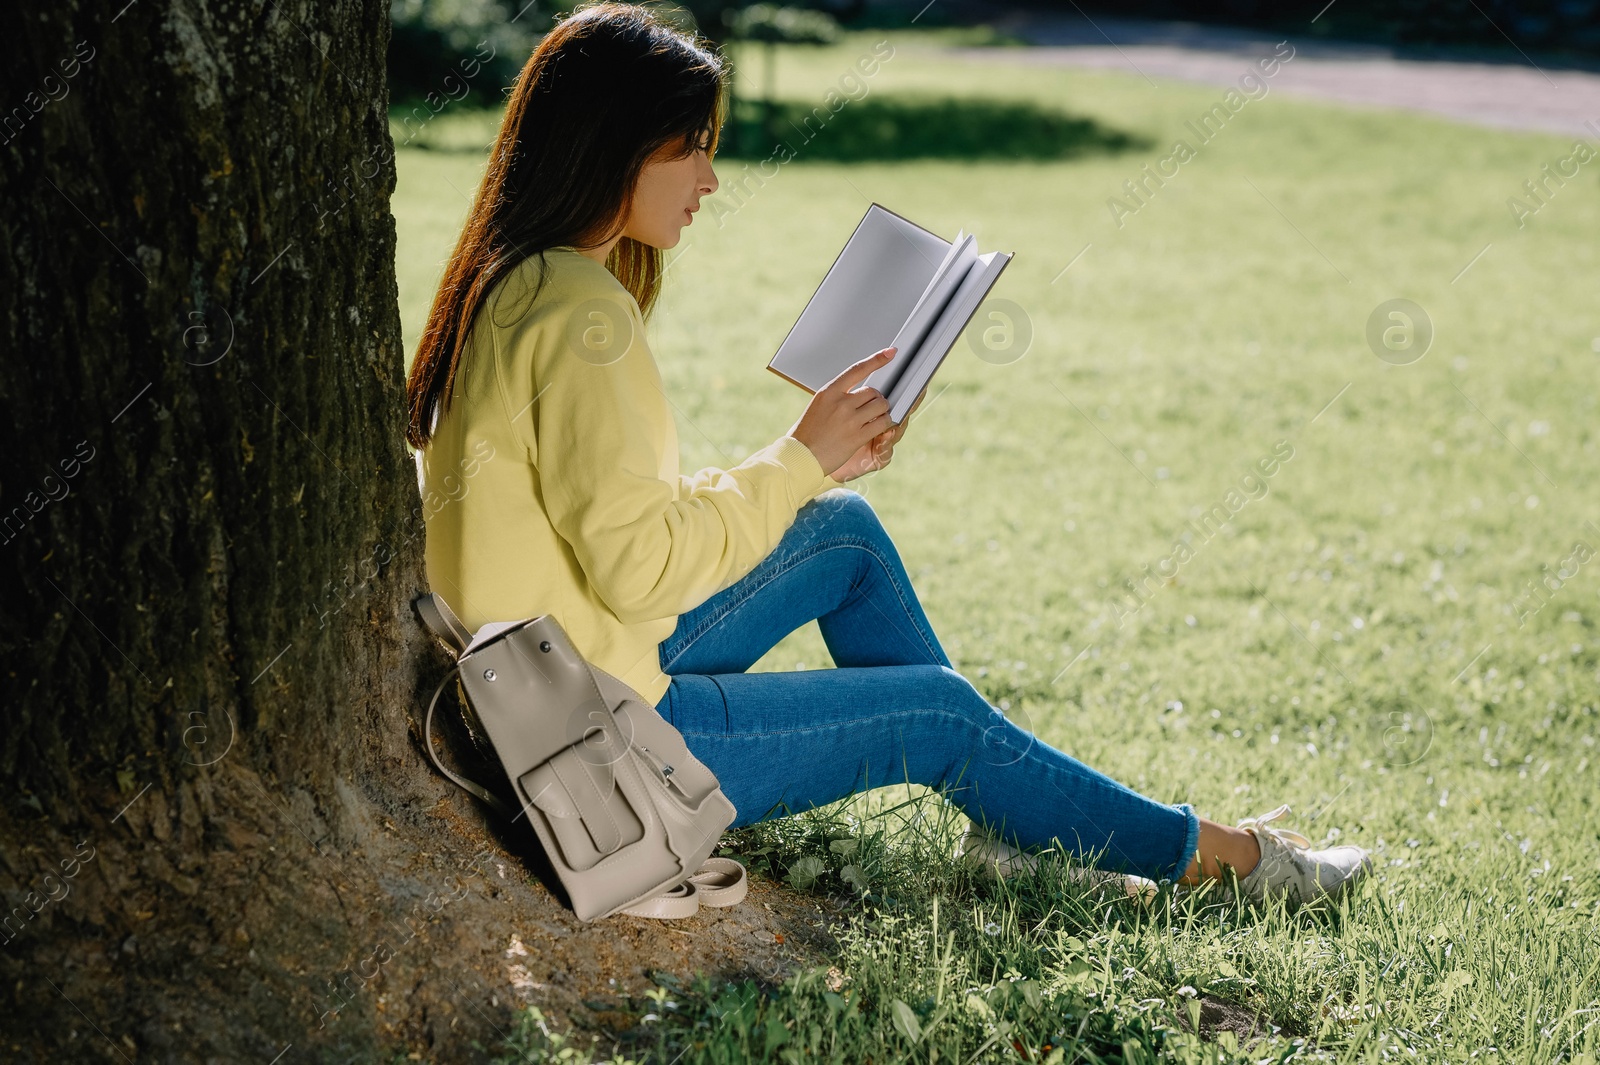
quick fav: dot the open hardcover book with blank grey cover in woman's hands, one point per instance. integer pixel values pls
(895, 285)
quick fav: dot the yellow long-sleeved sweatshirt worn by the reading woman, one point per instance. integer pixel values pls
(553, 487)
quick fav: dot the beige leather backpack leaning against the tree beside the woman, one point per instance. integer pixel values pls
(628, 816)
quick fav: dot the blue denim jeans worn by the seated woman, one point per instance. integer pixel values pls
(892, 712)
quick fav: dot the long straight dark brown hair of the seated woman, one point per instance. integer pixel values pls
(606, 90)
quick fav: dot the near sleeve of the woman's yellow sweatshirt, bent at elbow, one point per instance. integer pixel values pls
(650, 543)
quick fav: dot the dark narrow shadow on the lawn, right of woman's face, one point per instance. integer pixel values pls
(889, 127)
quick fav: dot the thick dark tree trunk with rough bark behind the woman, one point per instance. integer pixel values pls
(210, 536)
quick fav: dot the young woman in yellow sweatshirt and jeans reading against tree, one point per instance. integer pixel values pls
(550, 466)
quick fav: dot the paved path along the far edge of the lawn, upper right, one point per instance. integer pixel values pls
(1503, 95)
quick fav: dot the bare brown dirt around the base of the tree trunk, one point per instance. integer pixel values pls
(367, 930)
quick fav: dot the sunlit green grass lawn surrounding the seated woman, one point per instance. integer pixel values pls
(1348, 644)
